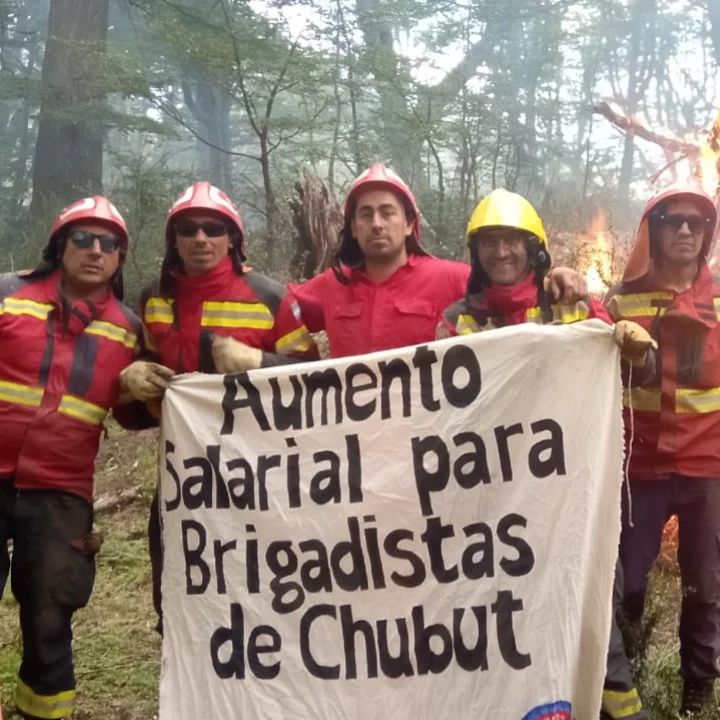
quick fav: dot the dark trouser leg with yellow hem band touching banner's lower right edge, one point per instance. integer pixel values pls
(620, 698)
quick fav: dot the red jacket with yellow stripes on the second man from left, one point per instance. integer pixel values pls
(246, 307)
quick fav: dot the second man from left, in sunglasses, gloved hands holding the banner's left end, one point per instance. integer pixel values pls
(209, 312)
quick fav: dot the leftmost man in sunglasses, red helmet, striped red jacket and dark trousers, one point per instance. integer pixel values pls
(65, 337)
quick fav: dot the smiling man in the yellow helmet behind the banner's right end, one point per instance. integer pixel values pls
(507, 286)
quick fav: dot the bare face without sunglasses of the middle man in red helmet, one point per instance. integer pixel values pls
(380, 226)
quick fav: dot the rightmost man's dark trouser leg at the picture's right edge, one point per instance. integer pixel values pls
(698, 508)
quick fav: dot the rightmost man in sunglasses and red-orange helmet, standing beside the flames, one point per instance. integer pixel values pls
(673, 424)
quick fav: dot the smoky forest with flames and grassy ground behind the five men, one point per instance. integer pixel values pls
(136, 99)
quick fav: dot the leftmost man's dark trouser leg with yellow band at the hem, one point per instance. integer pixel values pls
(52, 576)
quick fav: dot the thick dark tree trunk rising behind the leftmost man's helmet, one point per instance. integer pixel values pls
(69, 147)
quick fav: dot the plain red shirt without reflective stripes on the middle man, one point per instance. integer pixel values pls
(364, 316)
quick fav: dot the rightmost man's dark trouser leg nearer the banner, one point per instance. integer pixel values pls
(640, 540)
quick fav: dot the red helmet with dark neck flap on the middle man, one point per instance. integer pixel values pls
(378, 177)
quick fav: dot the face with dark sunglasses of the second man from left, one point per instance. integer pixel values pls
(200, 249)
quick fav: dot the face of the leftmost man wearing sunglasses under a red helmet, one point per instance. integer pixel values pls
(86, 270)
